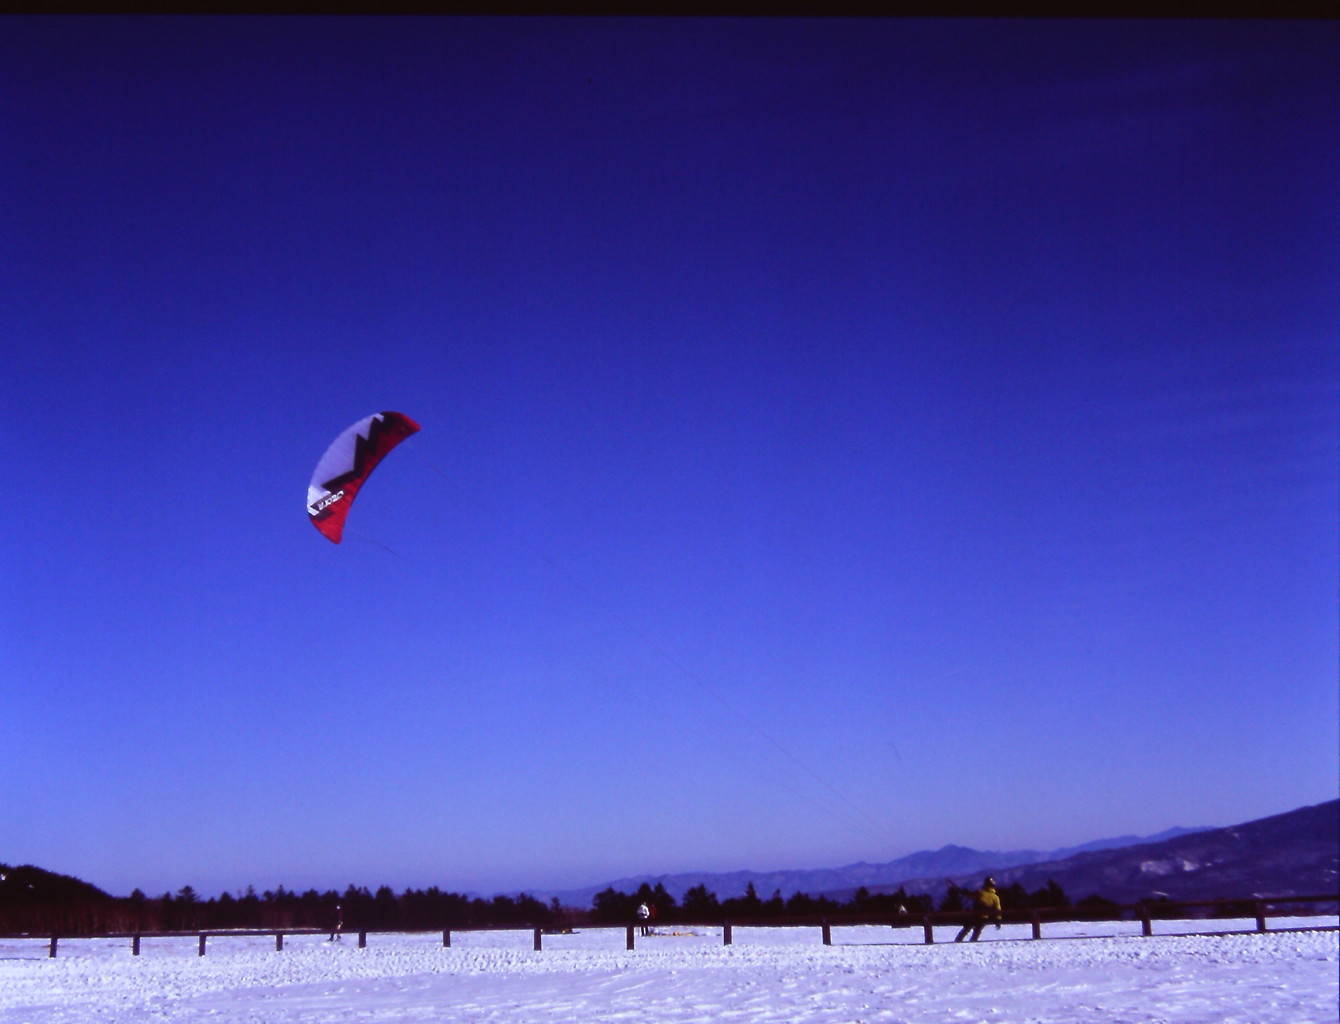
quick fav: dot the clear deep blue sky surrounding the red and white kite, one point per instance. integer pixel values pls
(840, 439)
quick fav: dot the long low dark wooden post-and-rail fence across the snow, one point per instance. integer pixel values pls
(1262, 909)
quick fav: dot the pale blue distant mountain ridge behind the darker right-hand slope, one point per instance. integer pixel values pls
(947, 862)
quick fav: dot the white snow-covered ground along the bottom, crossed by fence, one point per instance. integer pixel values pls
(767, 975)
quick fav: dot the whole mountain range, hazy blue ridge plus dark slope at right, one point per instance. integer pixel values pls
(1290, 854)
